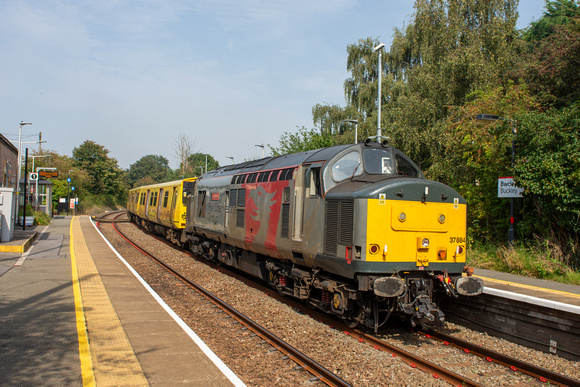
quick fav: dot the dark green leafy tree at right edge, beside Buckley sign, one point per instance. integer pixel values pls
(548, 167)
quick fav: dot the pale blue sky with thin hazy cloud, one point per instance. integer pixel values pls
(134, 76)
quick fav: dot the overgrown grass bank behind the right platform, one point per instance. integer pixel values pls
(539, 261)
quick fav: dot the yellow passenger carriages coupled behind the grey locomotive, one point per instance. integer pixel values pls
(161, 208)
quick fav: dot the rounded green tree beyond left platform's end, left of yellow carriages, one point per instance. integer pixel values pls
(106, 179)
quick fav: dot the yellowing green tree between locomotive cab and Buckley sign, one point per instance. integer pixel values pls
(478, 152)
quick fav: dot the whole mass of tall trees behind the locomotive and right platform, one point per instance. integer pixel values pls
(451, 62)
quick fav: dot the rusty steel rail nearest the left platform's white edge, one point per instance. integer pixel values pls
(304, 362)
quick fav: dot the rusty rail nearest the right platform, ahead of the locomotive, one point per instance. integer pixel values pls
(540, 373)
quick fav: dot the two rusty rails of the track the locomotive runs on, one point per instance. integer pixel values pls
(511, 364)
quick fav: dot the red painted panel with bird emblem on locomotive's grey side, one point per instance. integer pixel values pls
(269, 196)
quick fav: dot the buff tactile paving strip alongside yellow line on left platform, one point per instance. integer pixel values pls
(113, 360)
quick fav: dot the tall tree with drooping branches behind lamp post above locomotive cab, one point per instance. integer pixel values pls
(448, 50)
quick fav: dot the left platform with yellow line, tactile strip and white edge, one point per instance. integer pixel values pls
(72, 313)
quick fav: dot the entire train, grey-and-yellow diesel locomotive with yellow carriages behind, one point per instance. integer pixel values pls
(354, 230)
